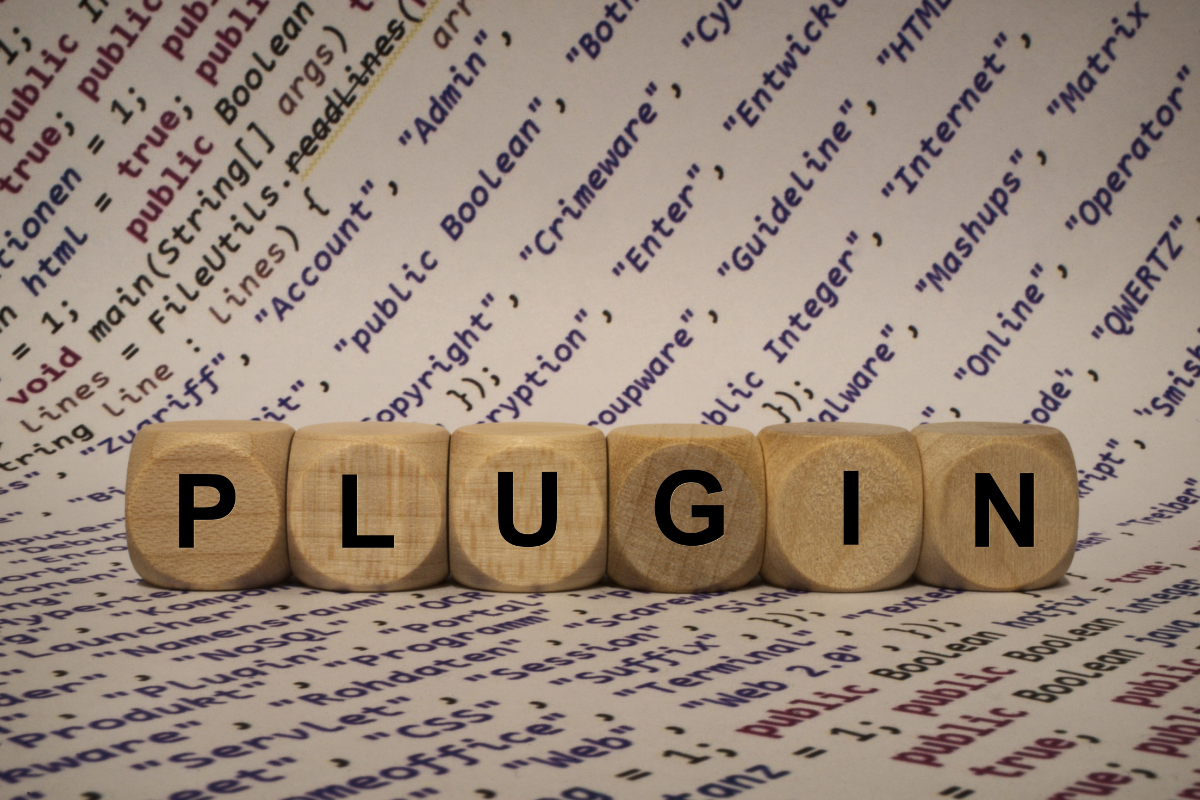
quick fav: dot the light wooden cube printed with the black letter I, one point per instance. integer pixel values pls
(811, 498)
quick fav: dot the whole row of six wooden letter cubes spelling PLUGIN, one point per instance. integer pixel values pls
(530, 507)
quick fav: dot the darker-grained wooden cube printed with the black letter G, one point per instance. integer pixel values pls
(662, 524)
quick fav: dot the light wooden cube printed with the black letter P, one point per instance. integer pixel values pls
(236, 546)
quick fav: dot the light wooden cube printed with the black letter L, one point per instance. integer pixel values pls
(397, 534)
